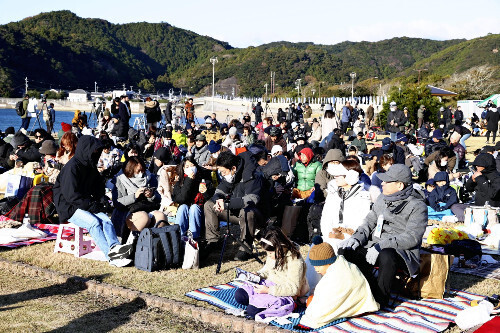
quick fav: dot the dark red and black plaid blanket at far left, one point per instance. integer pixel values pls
(38, 204)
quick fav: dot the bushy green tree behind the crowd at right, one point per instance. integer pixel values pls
(411, 96)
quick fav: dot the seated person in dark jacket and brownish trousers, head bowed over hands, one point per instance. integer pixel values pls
(240, 192)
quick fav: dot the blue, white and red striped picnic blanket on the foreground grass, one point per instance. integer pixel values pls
(428, 315)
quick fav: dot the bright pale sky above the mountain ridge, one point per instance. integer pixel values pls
(243, 23)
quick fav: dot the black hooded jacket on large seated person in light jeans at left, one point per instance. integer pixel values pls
(79, 185)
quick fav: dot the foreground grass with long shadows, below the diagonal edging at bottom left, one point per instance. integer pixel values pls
(32, 304)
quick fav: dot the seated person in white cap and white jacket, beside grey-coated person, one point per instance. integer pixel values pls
(346, 204)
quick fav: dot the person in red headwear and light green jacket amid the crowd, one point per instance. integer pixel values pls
(305, 172)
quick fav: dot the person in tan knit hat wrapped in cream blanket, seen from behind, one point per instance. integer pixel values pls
(342, 292)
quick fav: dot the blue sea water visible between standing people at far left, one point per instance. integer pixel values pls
(9, 117)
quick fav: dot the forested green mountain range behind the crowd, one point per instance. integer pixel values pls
(60, 49)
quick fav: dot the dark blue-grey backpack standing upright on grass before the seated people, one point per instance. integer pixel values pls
(159, 248)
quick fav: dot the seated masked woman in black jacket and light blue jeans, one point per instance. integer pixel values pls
(190, 192)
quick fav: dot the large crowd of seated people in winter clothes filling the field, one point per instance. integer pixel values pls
(369, 205)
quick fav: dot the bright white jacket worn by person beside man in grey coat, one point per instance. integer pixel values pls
(356, 207)
